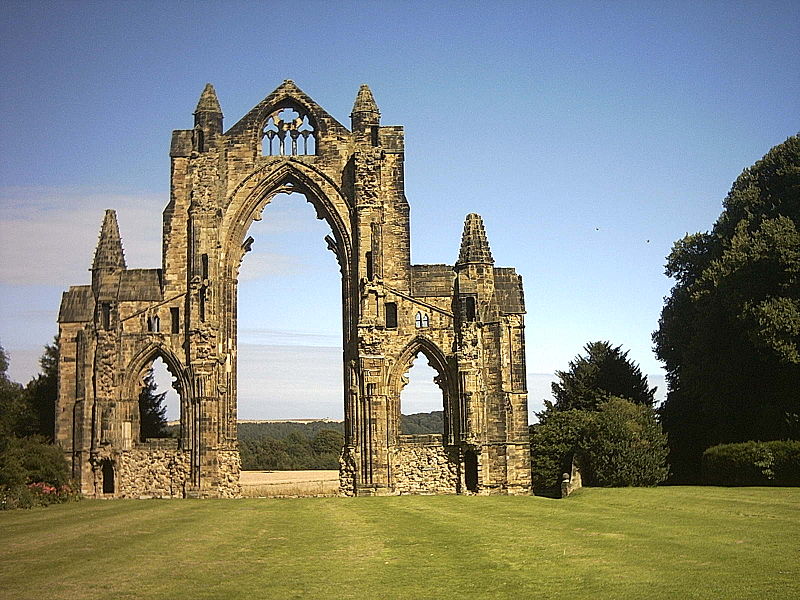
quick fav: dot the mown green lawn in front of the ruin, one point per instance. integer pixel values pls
(600, 543)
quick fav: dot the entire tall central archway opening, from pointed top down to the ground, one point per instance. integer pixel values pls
(289, 359)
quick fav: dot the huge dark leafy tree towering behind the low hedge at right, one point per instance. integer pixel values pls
(729, 332)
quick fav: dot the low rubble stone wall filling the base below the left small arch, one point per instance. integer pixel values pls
(145, 472)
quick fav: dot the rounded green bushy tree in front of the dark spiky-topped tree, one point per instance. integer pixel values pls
(623, 445)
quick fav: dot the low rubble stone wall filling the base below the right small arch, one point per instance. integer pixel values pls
(422, 465)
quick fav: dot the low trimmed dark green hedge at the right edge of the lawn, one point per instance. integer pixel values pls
(753, 463)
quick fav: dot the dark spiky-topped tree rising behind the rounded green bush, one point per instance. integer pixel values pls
(604, 372)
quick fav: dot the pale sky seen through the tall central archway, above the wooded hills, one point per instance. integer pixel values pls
(289, 317)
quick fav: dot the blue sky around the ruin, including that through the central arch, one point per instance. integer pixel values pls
(590, 136)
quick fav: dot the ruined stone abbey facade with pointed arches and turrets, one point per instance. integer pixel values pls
(466, 319)
